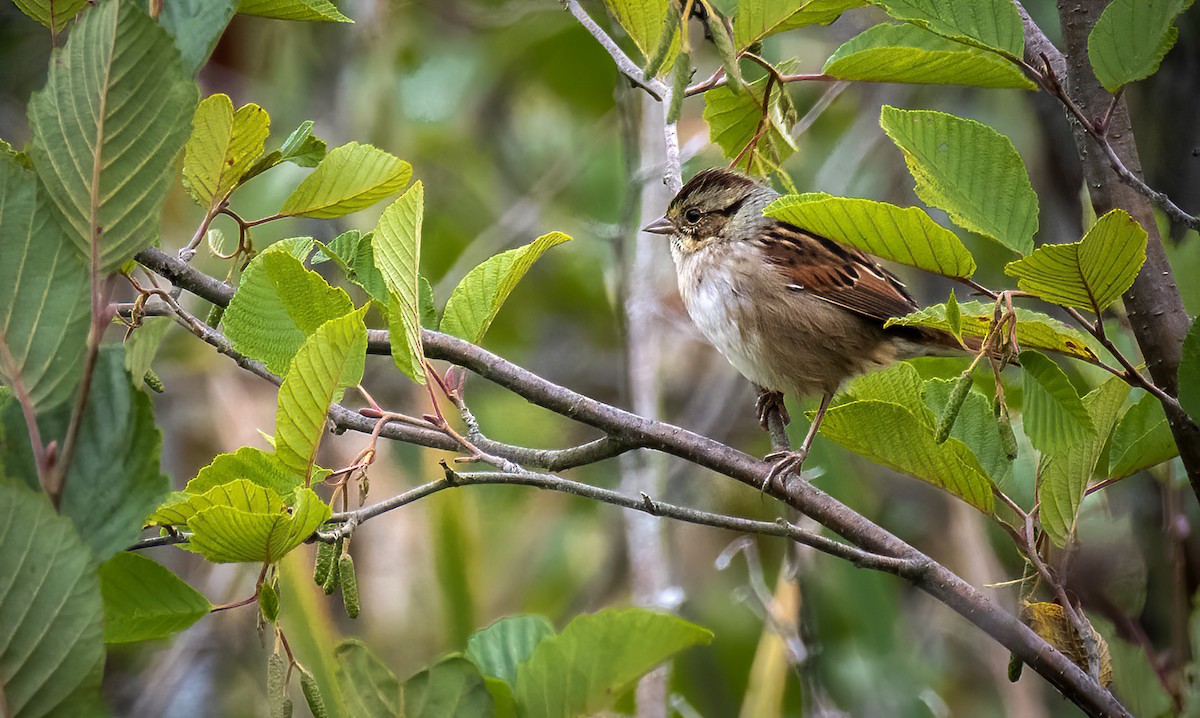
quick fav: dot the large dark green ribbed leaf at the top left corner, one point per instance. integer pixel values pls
(107, 129)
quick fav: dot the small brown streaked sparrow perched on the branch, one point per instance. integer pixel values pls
(794, 313)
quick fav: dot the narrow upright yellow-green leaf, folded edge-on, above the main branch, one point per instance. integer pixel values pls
(397, 244)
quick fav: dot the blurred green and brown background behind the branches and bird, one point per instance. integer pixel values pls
(519, 124)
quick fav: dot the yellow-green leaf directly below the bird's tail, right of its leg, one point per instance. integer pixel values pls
(892, 435)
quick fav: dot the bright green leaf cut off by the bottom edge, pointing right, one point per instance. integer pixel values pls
(598, 657)
